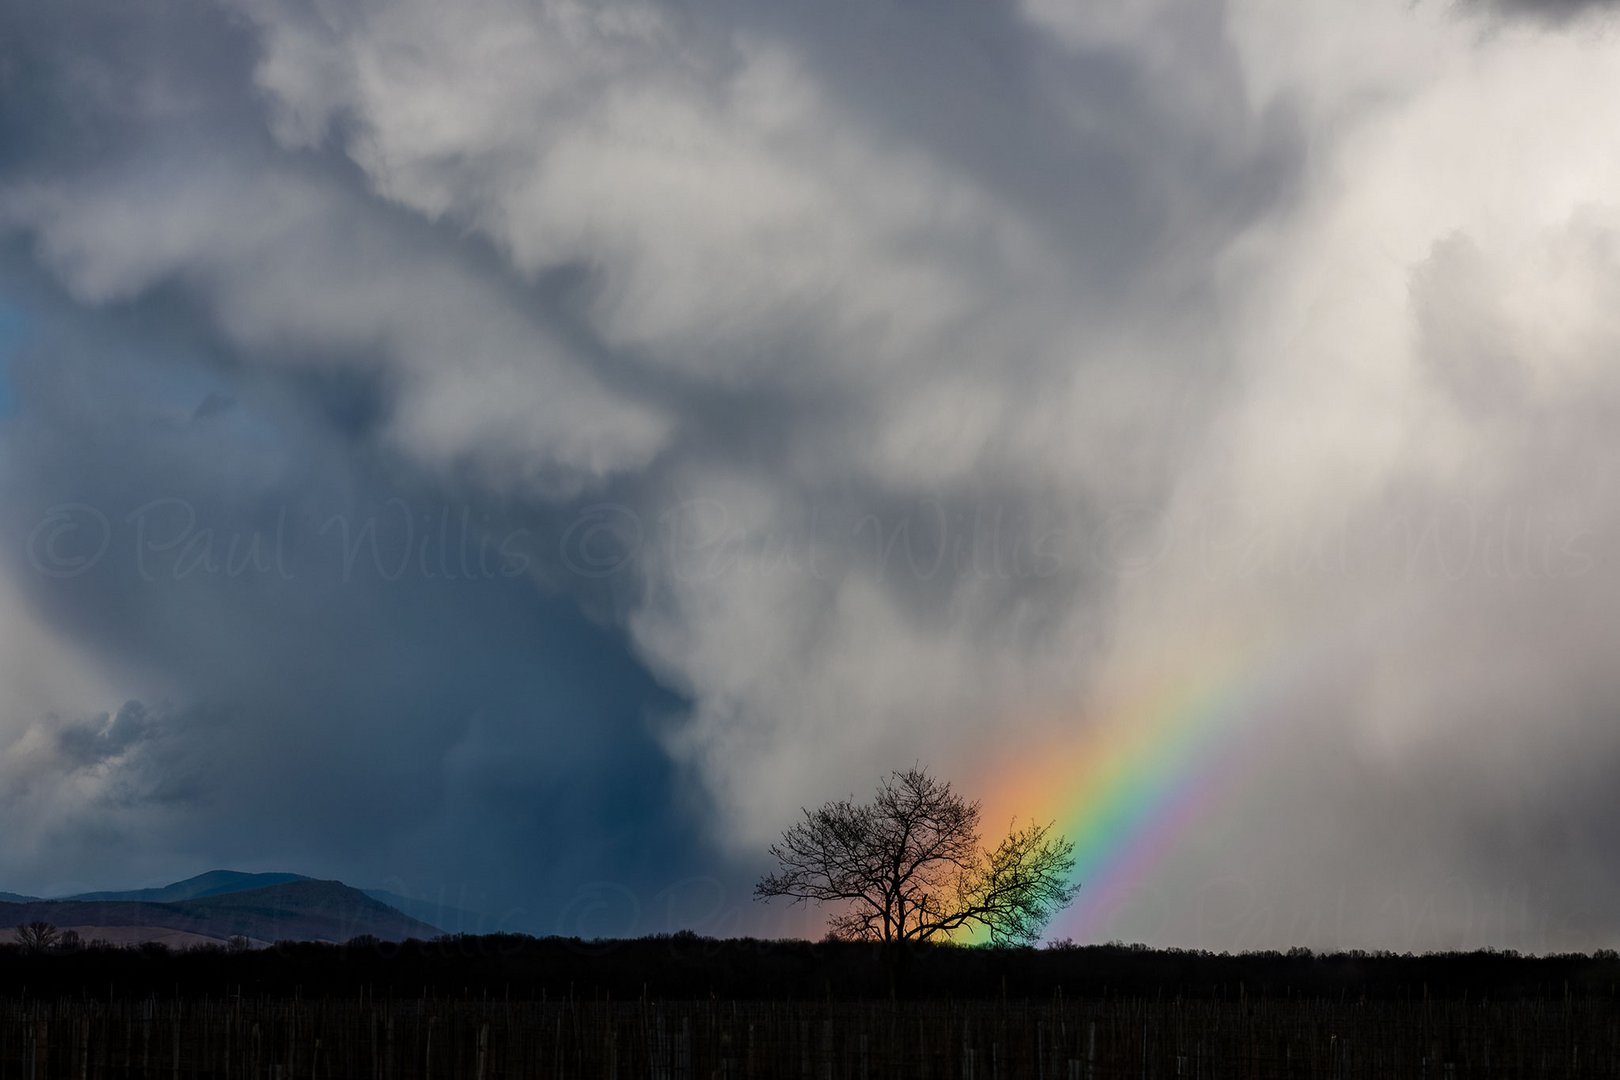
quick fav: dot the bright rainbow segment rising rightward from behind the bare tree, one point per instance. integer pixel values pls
(1138, 778)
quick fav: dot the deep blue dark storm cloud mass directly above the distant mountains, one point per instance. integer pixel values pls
(375, 689)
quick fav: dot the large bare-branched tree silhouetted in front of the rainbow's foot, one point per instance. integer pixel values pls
(910, 867)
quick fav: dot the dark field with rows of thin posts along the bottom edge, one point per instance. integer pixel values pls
(684, 1040)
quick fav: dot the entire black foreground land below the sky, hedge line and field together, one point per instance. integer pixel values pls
(683, 1008)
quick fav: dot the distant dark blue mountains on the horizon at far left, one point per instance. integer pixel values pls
(291, 911)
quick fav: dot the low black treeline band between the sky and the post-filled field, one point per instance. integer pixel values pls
(686, 966)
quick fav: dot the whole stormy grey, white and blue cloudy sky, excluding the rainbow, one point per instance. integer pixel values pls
(519, 453)
